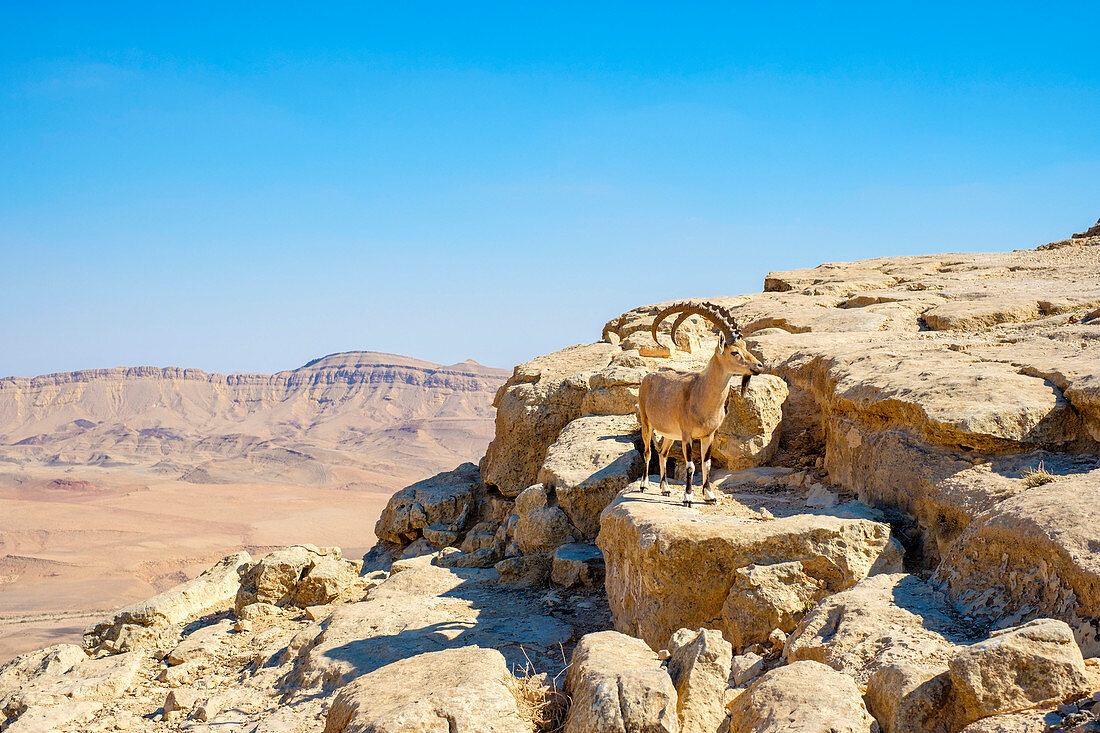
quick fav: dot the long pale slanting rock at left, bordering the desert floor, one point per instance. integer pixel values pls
(213, 590)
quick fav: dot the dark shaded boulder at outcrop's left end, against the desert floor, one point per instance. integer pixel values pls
(442, 502)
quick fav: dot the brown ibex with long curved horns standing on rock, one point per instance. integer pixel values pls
(692, 406)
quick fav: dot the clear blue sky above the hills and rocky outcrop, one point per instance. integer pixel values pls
(246, 188)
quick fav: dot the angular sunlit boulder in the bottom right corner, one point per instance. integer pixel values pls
(1018, 669)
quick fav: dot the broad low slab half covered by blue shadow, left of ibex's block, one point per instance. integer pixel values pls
(427, 609)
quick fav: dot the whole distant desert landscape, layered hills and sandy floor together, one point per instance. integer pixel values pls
(118, 484)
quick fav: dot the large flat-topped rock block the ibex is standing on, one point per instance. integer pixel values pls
(672, 567)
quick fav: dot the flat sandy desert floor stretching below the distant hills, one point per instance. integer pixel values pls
(69, 555)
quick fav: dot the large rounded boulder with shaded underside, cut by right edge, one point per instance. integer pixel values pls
(1035, 555)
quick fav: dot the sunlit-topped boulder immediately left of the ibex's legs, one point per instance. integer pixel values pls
(592, 461)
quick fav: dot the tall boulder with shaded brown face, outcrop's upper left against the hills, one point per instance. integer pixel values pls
(542, 398)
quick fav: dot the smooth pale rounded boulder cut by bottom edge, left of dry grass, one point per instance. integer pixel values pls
(458, 691)
